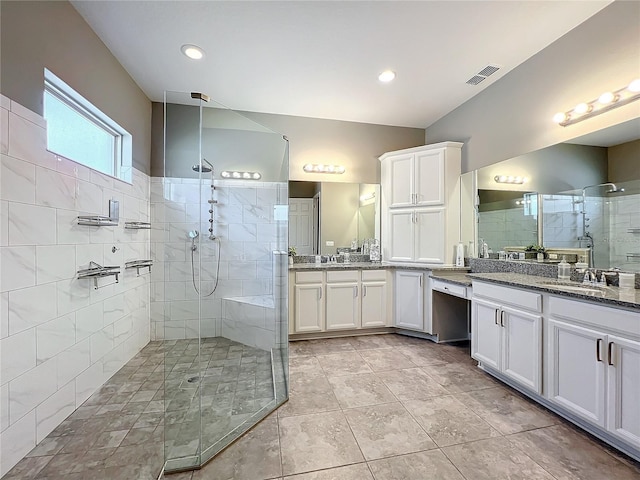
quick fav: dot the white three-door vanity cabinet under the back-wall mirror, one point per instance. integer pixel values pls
(333, 300)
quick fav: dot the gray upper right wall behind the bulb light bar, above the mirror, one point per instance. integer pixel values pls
(513, 116)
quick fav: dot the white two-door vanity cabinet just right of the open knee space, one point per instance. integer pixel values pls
(506, 332)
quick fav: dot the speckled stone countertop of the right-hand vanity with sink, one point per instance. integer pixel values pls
(629, 298)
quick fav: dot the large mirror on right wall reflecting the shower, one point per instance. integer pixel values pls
(582, 196)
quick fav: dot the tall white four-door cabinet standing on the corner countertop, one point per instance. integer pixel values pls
(420, 203)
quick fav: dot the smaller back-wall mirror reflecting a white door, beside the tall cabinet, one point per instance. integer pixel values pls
(325, 216)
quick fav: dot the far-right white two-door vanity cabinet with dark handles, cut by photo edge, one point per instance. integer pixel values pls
(593, 365)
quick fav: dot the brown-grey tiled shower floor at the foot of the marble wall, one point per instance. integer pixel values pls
(122, 431)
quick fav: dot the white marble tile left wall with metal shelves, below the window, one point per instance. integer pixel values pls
(60, 339)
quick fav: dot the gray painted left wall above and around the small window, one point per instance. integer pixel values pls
(35, 35)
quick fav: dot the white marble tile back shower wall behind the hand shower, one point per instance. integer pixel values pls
(249, 228)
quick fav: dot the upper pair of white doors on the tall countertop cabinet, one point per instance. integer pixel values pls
(416, 178)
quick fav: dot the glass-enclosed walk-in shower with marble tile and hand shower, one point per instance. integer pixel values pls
(218, 292)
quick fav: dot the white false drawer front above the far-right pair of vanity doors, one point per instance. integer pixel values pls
(596, 315)
